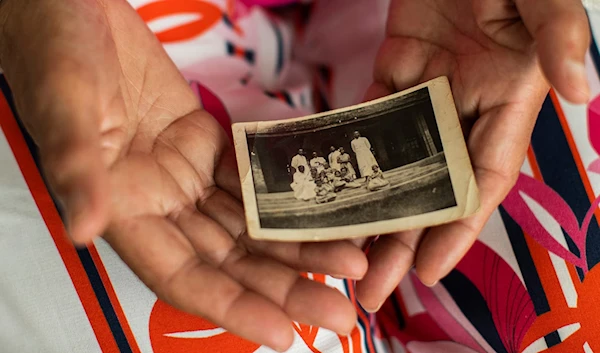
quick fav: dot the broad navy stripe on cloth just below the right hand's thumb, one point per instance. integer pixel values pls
(559, 171)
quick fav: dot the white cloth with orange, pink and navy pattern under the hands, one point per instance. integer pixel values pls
(528, 284)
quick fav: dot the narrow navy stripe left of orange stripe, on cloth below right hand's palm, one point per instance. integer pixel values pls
(528, 270)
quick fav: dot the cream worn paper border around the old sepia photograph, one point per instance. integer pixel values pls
(455, 150)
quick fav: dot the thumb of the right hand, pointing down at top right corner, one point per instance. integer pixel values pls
(561, 31)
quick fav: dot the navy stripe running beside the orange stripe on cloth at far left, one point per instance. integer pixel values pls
(84, 254)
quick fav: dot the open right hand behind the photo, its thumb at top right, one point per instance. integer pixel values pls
(495, 53)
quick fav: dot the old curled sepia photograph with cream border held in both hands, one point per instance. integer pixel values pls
(366, 170)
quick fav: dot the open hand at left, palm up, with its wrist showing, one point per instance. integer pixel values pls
(128, 149)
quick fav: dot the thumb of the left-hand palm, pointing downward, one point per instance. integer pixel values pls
(69, 142)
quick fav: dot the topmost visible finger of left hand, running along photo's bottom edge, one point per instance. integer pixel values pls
(340, 259)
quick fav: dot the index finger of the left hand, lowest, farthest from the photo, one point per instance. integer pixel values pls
(163, 258)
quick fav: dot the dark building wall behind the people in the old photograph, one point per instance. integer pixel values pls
(398, 138)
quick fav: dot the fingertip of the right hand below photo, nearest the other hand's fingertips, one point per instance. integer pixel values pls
(390, 258)
